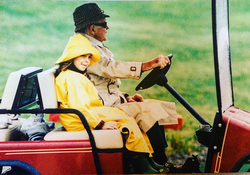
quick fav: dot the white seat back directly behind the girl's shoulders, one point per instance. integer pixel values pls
(46, 89)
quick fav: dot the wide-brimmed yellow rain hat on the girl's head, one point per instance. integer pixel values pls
(79, 45)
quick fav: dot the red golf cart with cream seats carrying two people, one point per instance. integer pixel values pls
(31, 91)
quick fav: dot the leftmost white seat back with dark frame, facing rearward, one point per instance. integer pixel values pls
(20, 89)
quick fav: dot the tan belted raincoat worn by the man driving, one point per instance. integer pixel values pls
(106, 75)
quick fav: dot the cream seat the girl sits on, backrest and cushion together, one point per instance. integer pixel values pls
(105, 139)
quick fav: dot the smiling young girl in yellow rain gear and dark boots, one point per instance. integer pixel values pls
(74, 90)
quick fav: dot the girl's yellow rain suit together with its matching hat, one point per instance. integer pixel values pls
(74, 90)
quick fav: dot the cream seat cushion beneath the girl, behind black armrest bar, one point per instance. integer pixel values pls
(105, 139)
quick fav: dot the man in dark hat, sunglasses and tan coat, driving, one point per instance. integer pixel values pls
(90, 21)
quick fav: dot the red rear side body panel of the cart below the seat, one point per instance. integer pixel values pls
(61, 157)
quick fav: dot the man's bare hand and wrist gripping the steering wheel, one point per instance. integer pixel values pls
(160, 61)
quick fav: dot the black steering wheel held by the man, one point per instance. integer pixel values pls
(156, 76)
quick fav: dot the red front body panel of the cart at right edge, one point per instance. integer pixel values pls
(235, 149)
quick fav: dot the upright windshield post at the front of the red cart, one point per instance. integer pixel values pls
(223, 74)
